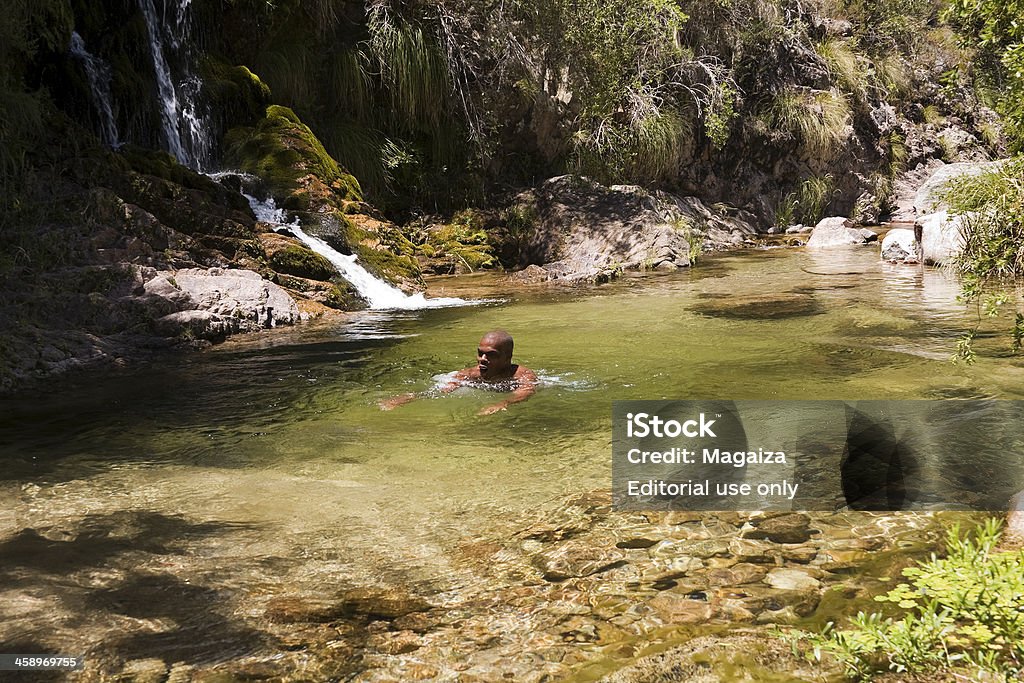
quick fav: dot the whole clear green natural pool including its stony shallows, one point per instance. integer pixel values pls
(250, 513)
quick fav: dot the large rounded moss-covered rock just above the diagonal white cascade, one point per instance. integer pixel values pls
(287, 155)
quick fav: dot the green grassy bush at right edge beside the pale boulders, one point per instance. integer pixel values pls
(991, 207)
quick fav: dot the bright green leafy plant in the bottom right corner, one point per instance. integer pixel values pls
(964, 612)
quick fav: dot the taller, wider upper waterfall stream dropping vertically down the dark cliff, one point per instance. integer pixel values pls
(182, 115)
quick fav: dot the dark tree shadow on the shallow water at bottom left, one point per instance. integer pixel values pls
(72, 574)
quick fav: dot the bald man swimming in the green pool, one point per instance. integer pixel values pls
(494, 370)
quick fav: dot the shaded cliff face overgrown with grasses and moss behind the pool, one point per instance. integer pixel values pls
(113, 110)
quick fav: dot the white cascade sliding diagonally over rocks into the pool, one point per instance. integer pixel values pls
(378, 293)
